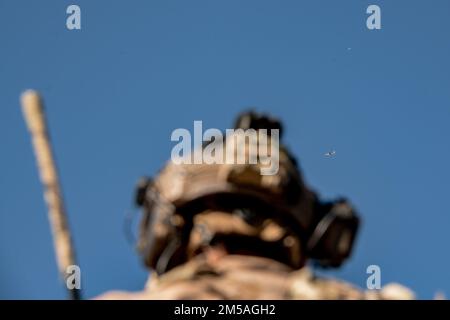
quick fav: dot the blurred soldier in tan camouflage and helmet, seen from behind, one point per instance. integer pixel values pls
(225, 231)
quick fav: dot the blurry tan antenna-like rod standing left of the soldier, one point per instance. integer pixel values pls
(35, 118)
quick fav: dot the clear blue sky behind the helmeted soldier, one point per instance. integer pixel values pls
(137, 70)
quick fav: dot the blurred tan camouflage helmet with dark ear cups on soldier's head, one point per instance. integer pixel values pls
(187, 206)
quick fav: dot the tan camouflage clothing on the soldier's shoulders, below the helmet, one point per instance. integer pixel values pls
(214, 275)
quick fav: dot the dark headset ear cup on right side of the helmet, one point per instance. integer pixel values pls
(332, 240)
